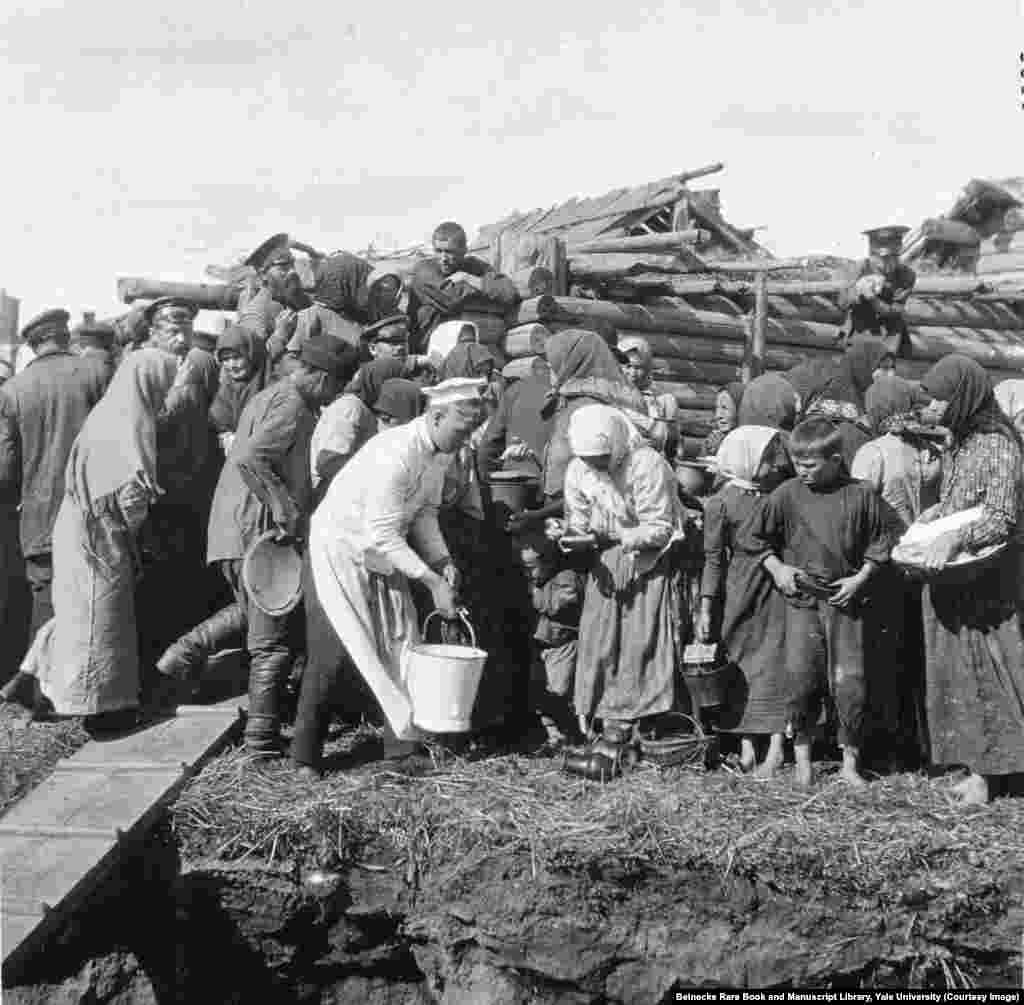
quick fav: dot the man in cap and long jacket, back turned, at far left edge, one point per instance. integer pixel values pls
(42, 410)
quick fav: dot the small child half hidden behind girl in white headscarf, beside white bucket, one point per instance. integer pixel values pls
(558, 597)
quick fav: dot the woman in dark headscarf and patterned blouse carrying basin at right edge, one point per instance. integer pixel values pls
(973, 639)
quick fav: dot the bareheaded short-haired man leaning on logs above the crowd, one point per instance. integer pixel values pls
(452, 283)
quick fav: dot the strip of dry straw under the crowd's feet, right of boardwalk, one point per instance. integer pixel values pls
(446, 811)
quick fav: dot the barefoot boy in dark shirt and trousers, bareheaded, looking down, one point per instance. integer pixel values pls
(823, 537)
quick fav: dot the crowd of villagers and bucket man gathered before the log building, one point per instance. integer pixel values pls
(141, 470)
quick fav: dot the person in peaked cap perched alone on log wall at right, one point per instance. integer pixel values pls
(878, 297)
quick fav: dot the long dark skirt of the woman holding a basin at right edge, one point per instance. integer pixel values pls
(975, 678)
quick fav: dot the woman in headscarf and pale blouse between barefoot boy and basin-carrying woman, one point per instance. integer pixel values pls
(904, 466)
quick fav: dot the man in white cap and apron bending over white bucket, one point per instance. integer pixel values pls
(375, 531)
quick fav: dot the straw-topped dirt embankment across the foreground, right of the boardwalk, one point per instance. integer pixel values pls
(505, 884)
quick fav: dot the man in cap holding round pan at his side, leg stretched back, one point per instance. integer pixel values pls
(266, 484)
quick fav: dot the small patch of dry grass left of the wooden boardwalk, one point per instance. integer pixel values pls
(30, 751)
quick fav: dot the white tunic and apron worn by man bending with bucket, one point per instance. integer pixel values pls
(362, 560)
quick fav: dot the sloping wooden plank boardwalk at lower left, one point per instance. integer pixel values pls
(62, 842)
